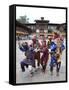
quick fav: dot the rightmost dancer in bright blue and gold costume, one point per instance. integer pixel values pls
(57, 47)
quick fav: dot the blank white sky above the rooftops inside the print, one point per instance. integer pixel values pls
(53, 15)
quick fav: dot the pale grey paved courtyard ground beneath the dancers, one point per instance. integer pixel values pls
(24, 77)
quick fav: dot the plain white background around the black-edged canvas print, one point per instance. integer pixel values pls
(4, 44)
